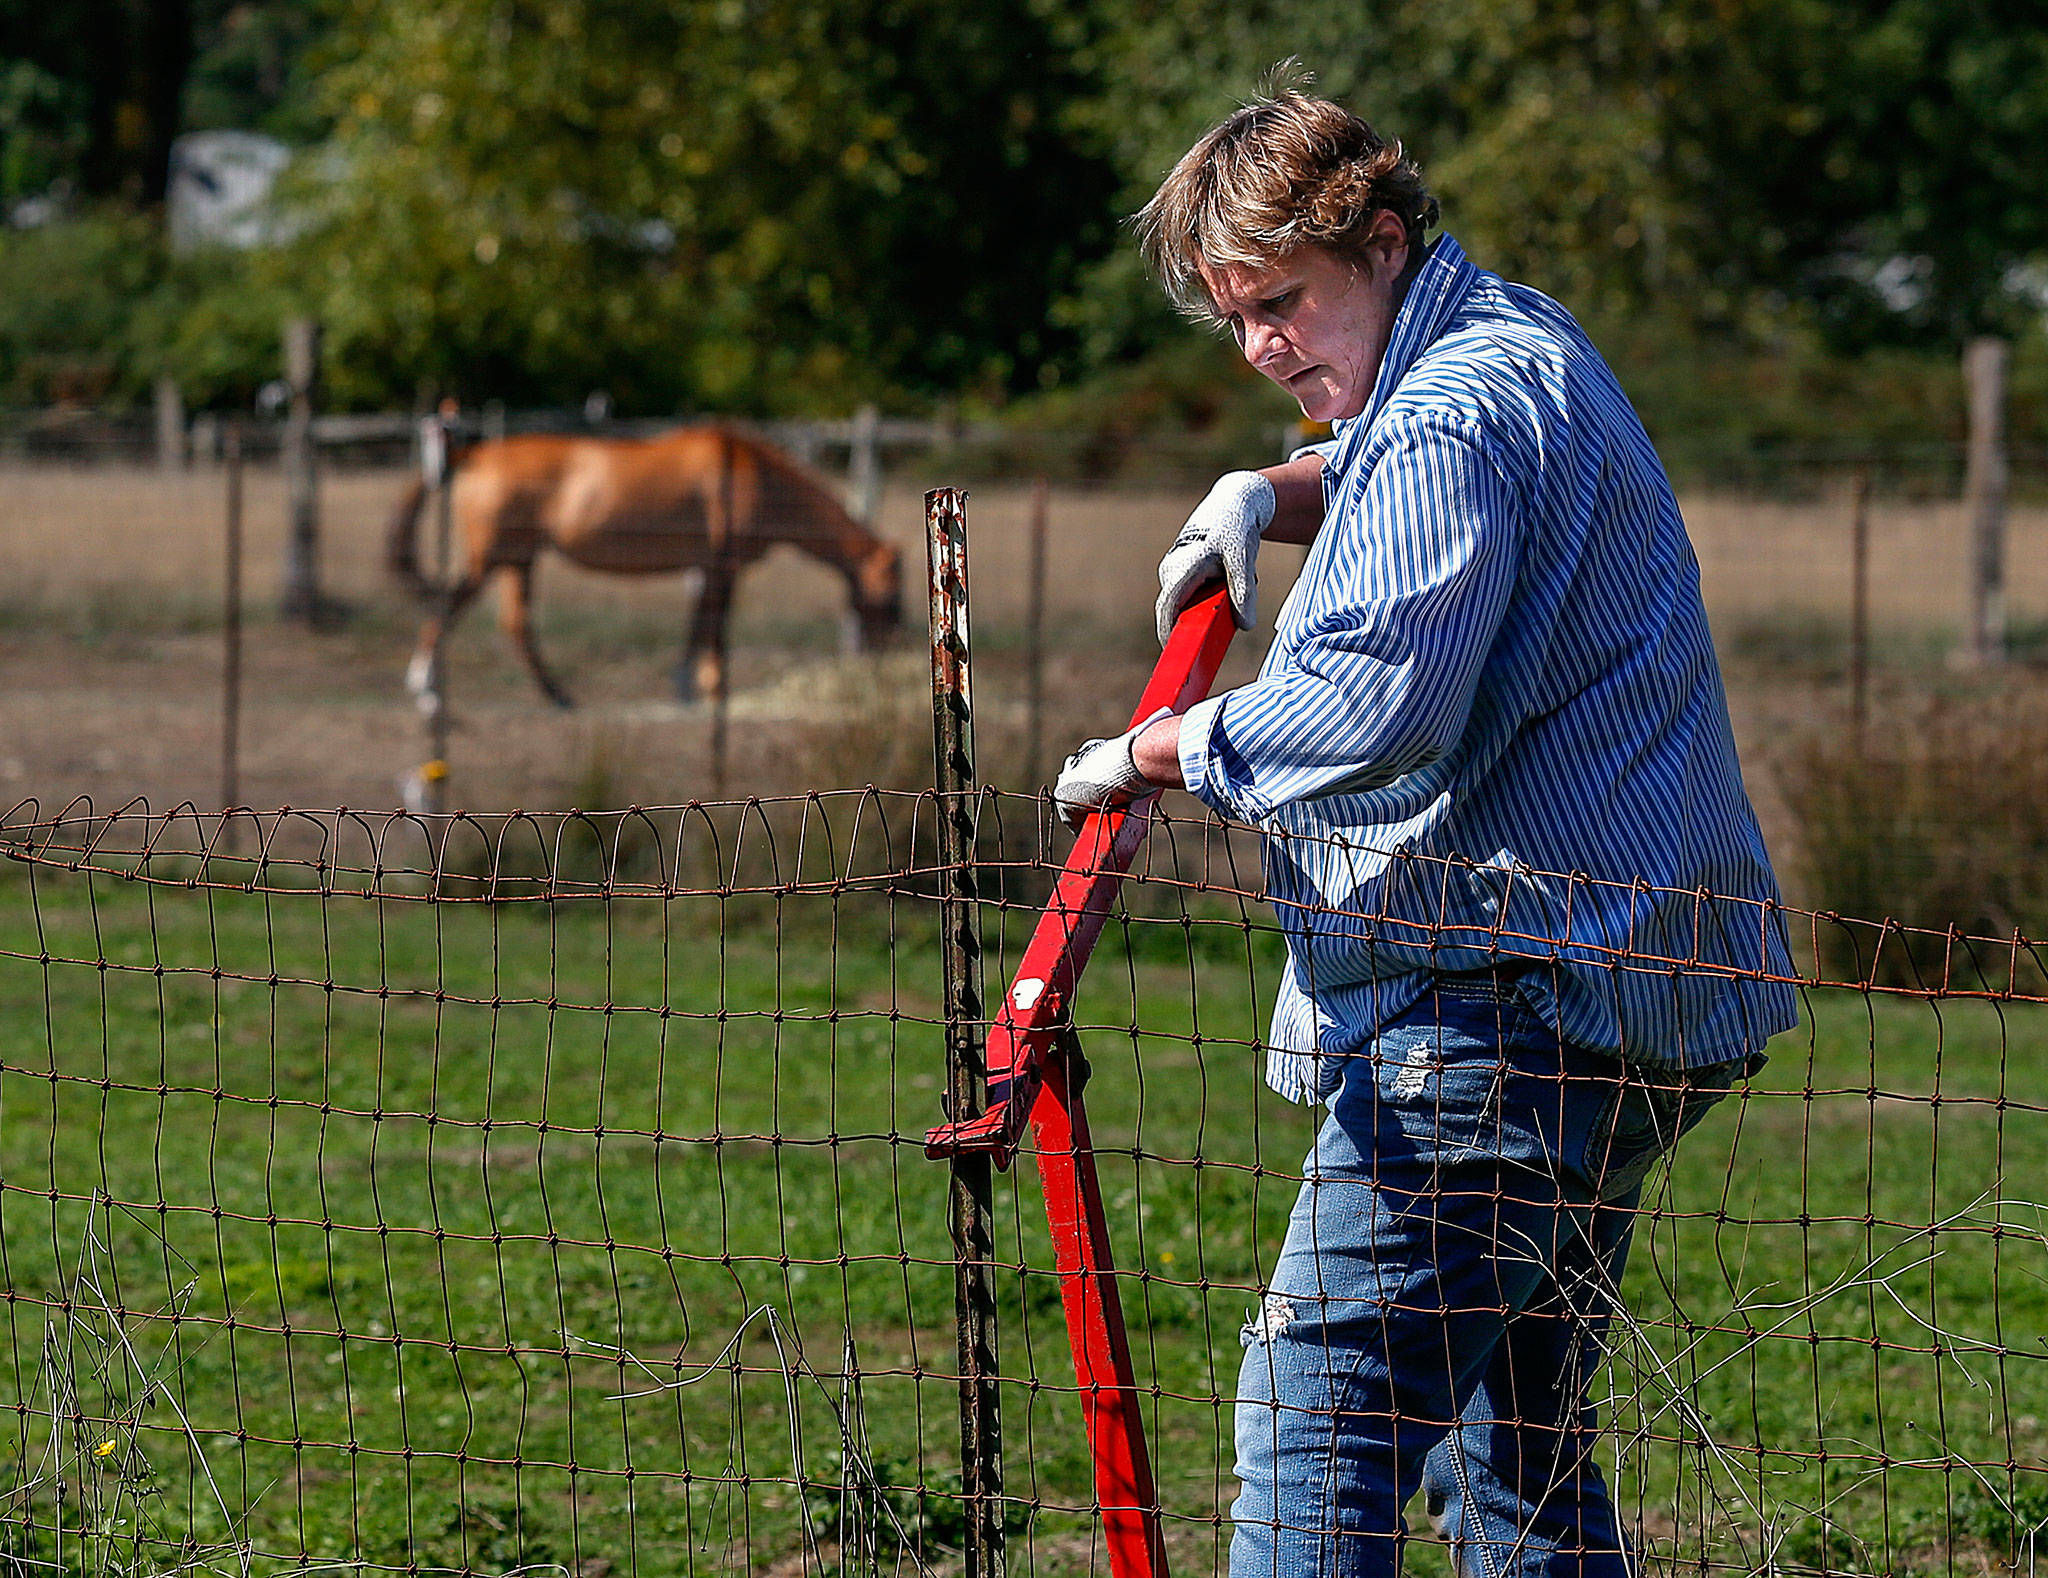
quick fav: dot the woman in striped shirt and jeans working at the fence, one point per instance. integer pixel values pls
(1529, 912)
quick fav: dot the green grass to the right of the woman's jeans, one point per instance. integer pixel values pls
(1844, 1360)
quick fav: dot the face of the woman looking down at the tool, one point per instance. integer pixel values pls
(1316, 324)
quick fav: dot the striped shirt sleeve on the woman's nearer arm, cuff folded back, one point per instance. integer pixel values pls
(1381, 660)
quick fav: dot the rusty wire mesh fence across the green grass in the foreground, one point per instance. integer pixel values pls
(525, 1192)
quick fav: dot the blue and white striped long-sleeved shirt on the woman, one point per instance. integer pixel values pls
(1492, 726)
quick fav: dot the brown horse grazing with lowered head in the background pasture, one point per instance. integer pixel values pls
(699, 498)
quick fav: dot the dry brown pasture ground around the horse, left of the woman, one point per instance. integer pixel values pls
(110, 640)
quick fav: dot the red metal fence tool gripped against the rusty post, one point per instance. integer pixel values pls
(1037, 1073)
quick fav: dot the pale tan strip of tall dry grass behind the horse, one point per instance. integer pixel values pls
(73, 535)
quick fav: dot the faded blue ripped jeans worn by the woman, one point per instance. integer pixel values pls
(1443, 1297)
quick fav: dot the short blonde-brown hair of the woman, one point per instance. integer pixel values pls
(1283, 173)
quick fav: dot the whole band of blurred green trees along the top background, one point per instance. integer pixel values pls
(790, 206)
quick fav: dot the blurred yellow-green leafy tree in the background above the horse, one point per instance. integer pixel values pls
(759, 204)
